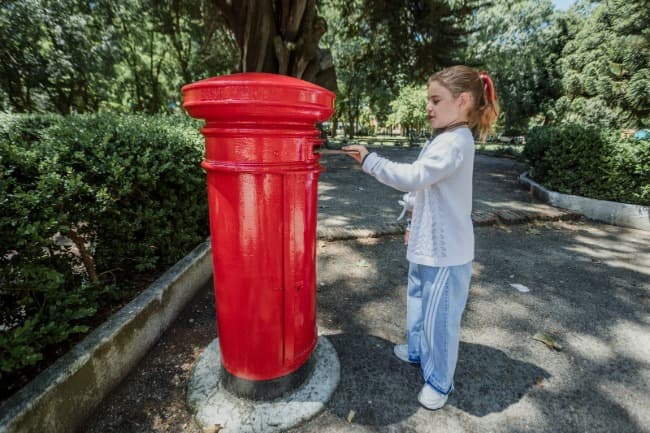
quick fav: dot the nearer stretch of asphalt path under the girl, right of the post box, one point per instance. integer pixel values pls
(589, 287)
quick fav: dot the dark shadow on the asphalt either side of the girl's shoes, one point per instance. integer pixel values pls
(383, 390)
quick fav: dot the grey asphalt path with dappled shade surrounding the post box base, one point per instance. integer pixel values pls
(589, 288)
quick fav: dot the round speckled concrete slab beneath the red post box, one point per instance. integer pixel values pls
(213, 405)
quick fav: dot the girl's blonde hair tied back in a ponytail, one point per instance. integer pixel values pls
(485, 108)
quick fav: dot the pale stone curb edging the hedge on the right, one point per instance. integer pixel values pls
(619, 214)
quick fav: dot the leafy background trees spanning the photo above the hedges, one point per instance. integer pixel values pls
(586, 65)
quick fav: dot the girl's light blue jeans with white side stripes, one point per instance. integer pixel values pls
(436, 299)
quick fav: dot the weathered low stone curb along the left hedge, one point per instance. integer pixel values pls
(65, 394)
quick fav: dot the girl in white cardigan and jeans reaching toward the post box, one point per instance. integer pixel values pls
(441, 241)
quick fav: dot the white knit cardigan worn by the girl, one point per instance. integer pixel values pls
(439, 194)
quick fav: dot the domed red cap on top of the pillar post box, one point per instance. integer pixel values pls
(258, 96)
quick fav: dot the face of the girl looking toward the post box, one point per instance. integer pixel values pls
(443, 109)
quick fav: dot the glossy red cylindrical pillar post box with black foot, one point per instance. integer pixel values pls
(262, 176)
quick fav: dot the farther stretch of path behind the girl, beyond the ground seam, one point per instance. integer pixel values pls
(354, 205)
